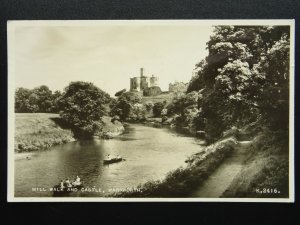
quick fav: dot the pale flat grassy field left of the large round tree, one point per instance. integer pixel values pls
(38, 131)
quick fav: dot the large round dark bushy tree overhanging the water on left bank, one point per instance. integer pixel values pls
(82, 105)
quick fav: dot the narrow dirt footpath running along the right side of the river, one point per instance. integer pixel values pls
(219, 180)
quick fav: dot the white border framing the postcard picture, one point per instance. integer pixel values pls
(11, 25)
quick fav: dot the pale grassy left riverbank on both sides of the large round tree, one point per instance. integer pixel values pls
(40, 131)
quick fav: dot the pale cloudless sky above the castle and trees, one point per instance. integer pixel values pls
(106, 55)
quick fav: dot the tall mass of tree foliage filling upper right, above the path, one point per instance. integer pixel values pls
(244, 77)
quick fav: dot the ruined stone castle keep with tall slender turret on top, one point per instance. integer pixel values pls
(148, 86)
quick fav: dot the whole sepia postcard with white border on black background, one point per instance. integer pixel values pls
(151, 110)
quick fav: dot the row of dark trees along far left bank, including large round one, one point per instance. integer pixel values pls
(81, 106)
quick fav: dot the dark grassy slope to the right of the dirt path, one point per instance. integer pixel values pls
(266, 169)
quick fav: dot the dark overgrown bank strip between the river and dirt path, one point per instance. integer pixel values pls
(181, 182)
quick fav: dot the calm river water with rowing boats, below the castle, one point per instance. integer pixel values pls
(150, 154)
